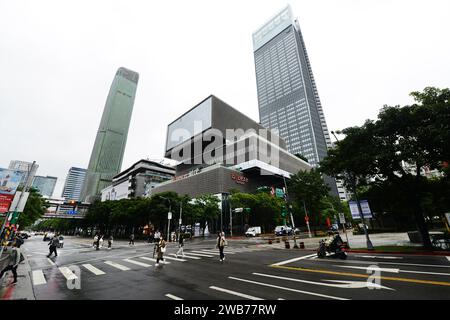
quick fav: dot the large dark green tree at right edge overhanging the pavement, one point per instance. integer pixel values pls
(377, 152)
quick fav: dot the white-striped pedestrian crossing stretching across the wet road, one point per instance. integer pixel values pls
(126, 264)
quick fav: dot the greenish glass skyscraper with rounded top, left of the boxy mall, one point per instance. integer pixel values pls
(107, 154)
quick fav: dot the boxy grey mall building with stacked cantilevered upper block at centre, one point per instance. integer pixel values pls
(220, 149)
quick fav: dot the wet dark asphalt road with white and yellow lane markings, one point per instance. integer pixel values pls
(250, 271)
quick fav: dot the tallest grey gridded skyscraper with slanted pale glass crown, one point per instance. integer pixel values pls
(287, 94)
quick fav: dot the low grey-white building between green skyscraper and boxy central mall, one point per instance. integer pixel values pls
(137, 181)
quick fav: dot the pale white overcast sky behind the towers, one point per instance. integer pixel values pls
(58, 59)
